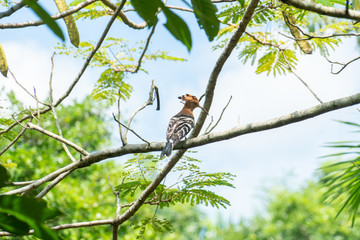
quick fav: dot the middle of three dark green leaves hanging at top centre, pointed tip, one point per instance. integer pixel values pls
(178, 28)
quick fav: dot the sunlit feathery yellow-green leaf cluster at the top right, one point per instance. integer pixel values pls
(270, 51)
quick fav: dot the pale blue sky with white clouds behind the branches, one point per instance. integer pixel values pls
(288, 155)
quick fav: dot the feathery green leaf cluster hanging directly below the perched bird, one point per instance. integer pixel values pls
(191, 188)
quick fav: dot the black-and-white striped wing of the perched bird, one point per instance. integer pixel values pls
(179, 126)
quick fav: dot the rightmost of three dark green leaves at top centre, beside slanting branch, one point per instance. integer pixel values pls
(205, 12)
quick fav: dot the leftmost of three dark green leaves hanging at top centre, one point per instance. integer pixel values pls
(147, 10)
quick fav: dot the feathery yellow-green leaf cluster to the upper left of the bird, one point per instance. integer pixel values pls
(118, 58)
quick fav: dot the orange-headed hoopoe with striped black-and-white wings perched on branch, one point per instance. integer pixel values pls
(181, 123)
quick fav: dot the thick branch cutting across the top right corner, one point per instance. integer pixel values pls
(323, 10)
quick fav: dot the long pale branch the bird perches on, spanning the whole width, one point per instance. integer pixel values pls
(201, 140)
